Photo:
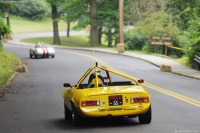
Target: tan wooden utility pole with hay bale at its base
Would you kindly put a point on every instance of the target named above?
(120, 45)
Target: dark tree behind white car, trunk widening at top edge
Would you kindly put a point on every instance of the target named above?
(54, 13)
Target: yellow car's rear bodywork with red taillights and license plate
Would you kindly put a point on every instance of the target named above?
(126, 102)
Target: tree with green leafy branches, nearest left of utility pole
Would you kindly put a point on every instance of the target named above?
(80, 9)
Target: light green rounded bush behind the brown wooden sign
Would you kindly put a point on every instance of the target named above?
(159, 24)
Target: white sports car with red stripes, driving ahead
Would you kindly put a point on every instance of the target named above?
(42, 50)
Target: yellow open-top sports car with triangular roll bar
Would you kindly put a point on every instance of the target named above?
(103, 92)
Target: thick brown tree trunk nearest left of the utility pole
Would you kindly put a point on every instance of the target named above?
(93, 29)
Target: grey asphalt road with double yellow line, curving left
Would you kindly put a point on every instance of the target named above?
(34, 102)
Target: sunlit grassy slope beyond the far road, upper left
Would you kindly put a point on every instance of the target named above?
(22, 25)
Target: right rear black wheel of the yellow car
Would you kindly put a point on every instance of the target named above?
(145, 118)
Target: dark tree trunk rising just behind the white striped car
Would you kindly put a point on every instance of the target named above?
(56, 38)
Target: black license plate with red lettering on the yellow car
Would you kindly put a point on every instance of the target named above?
(115, 100)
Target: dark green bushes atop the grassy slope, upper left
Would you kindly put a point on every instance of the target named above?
(32, 9)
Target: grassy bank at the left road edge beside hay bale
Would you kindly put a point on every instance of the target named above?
(8, 64)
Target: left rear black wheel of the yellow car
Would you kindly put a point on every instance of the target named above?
(76, 118)
